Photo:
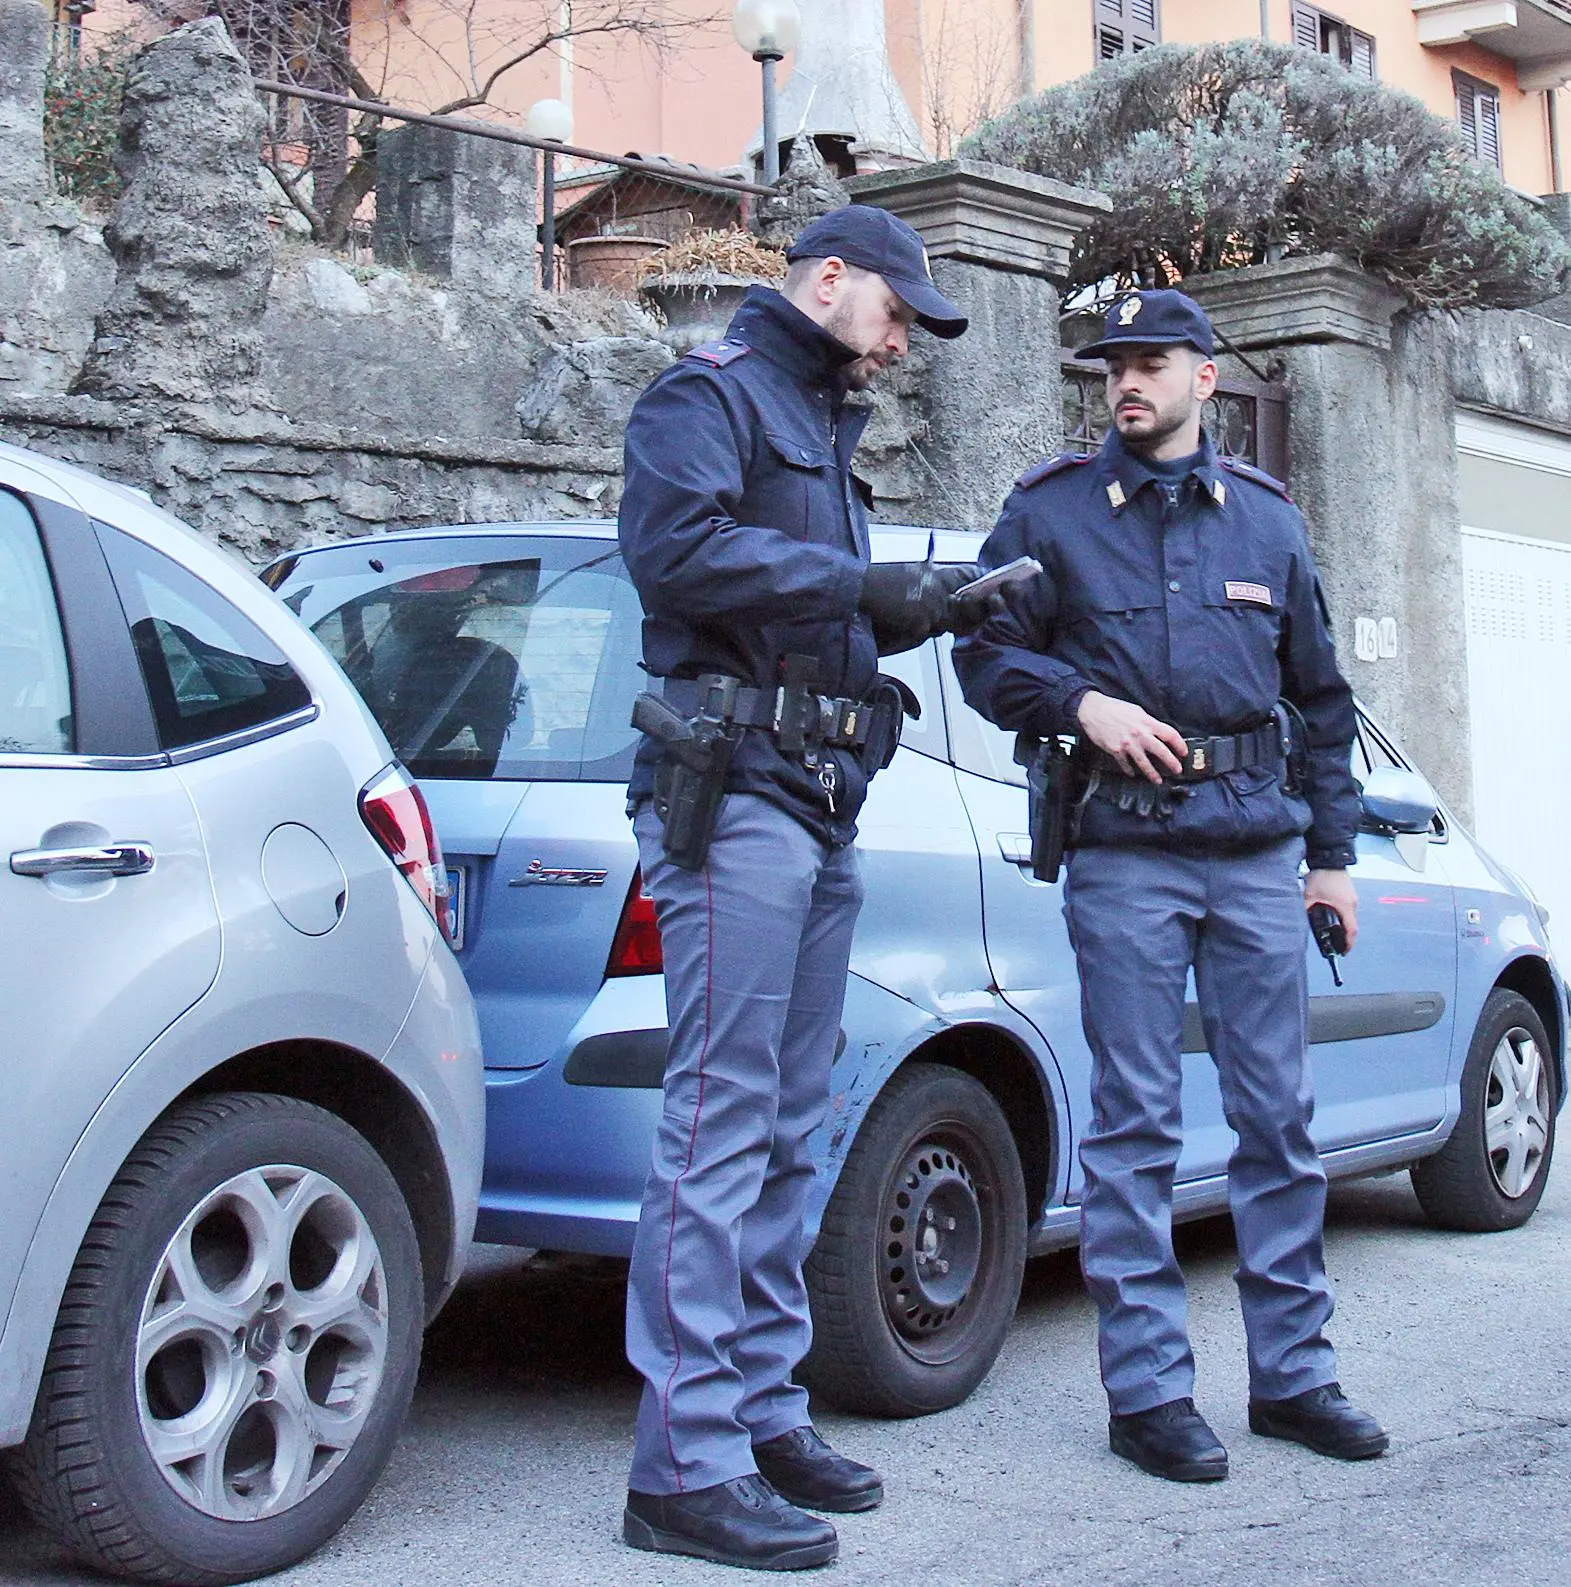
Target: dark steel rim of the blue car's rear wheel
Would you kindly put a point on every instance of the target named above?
(934, 1248)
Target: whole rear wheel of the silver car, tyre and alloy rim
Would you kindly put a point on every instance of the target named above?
(236, 1350)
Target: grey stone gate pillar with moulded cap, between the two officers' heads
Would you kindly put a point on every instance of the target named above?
(999, 242)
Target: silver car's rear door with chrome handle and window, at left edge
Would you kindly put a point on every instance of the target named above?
(107, 909)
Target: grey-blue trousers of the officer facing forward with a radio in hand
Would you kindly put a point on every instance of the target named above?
(1139, 920)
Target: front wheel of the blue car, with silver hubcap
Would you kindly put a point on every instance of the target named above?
(1492, 1172)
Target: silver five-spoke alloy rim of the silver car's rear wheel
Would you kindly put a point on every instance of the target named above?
(263, 1343)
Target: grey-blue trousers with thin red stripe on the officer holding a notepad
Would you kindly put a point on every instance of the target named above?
(756, 953)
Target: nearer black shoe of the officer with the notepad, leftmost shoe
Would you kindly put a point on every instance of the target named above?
(739, 1523)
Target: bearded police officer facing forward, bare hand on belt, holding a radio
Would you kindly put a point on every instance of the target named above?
(1178, 607)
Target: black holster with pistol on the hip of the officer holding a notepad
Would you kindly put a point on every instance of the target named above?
(691, 775)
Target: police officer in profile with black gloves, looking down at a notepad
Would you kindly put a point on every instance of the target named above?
(747, 537)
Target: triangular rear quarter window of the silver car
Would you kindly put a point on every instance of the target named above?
(210, 671)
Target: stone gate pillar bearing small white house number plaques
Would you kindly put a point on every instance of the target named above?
(1375, 469)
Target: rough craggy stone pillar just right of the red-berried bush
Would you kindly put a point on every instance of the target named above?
(190, 234)
